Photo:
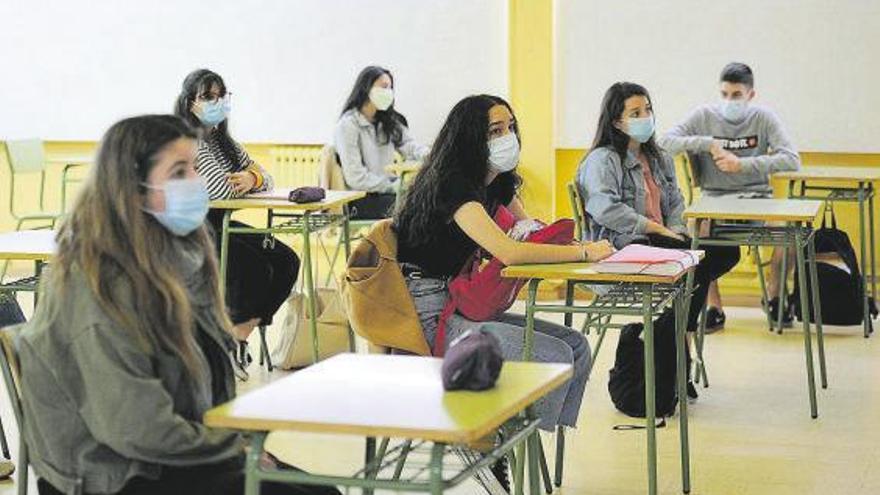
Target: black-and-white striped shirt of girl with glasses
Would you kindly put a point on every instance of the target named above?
(213, 165)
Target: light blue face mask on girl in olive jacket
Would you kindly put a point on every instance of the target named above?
(186, 205)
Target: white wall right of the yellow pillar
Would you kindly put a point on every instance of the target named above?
(816, 62)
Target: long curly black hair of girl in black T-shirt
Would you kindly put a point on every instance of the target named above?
(461, 151)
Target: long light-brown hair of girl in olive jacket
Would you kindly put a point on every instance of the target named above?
(114, 244)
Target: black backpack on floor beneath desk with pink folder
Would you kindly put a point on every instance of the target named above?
(626, 381)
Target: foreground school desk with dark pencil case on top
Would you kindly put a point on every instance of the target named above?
(372, 396)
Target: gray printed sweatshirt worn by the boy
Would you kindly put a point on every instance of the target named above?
(759, 140)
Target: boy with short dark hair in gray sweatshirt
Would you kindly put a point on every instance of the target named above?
(733, 147)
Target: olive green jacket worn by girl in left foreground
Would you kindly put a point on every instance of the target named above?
(100, 410)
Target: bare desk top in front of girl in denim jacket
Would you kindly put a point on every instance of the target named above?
(768, 210)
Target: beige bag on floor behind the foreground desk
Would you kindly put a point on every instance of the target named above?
(294, 348)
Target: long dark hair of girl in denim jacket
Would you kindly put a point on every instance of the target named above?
(607, 134)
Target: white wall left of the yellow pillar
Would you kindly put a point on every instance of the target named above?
(72, 68)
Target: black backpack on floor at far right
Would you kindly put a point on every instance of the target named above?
(840, 291)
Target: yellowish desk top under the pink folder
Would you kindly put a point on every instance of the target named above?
(584, 272)
